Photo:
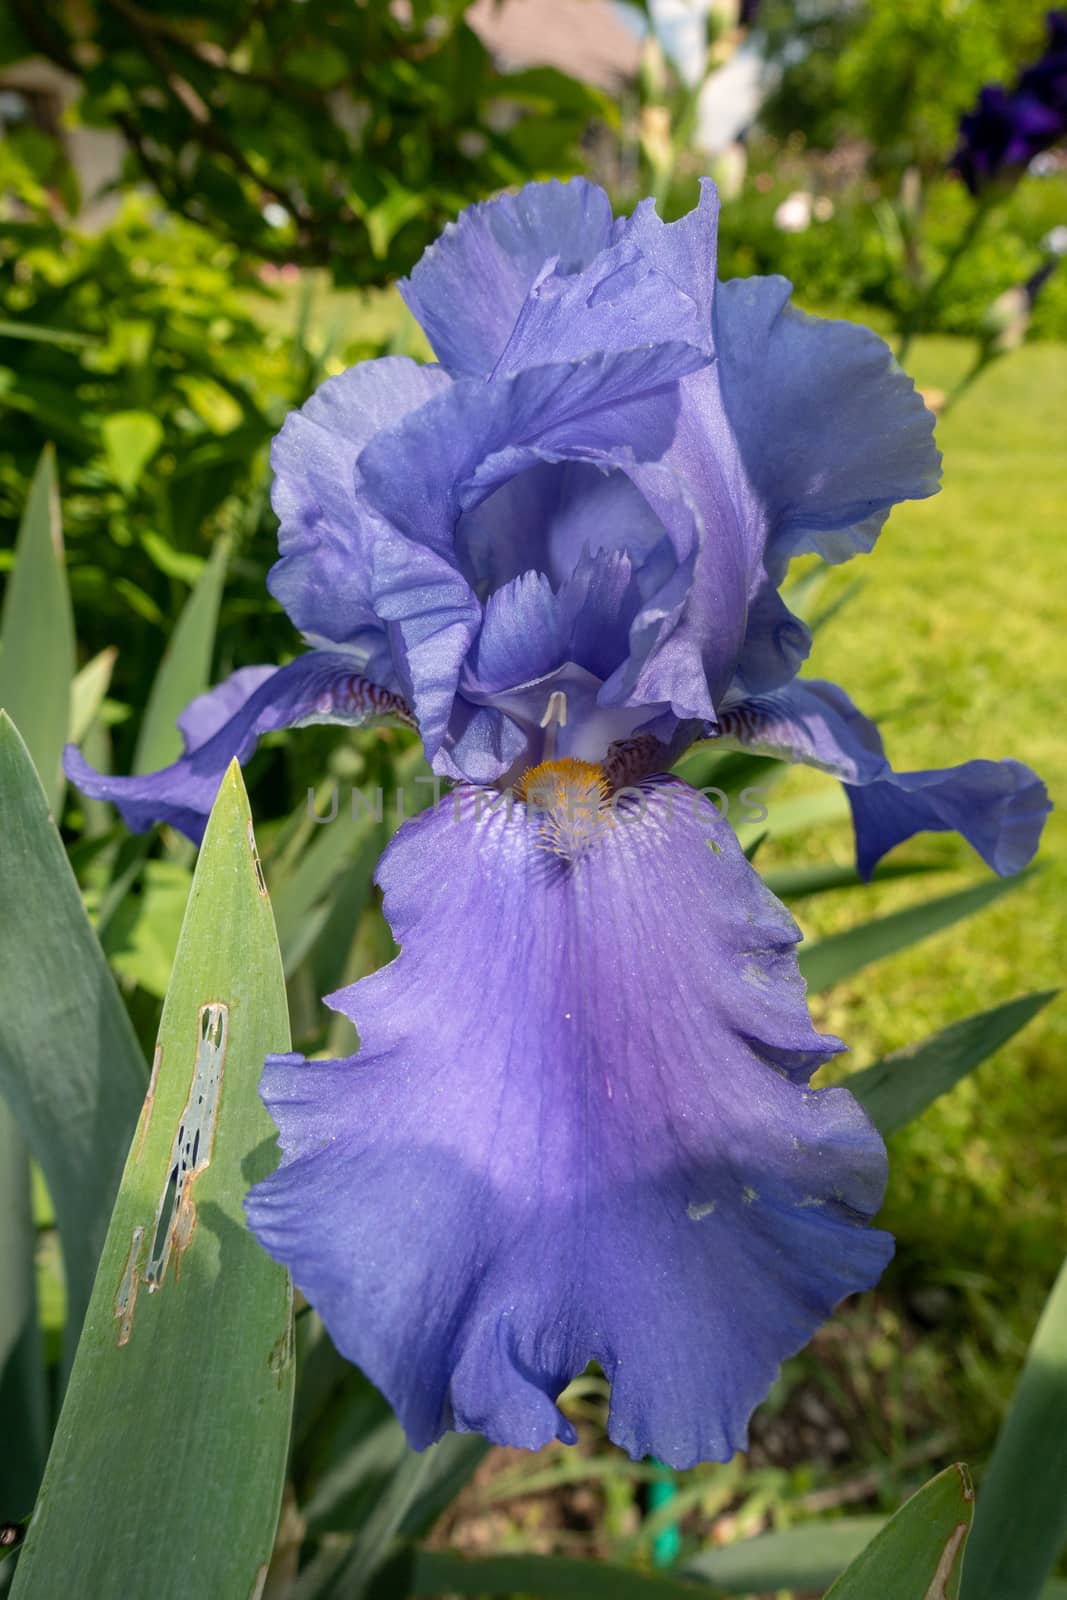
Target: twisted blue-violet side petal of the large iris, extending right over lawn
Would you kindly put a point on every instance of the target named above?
(999, 807)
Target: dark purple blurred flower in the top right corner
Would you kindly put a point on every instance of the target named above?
(1010, 127)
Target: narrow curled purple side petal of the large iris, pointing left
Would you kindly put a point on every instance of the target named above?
(226, 726)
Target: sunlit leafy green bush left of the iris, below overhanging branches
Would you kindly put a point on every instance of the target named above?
(138, 353)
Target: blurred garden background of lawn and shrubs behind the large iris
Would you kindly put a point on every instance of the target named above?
(204, 207)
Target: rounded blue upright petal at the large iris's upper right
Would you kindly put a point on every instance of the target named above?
(829, 430)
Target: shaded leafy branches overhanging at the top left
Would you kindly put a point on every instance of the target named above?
(316, 134)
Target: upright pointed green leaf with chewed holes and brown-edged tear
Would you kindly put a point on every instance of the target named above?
(167, 1468)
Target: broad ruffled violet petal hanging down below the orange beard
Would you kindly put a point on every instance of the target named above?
(580, 1127)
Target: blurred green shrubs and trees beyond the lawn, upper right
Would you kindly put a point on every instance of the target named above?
(860, 118)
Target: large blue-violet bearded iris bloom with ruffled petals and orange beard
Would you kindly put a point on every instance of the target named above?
(580, 1126)
